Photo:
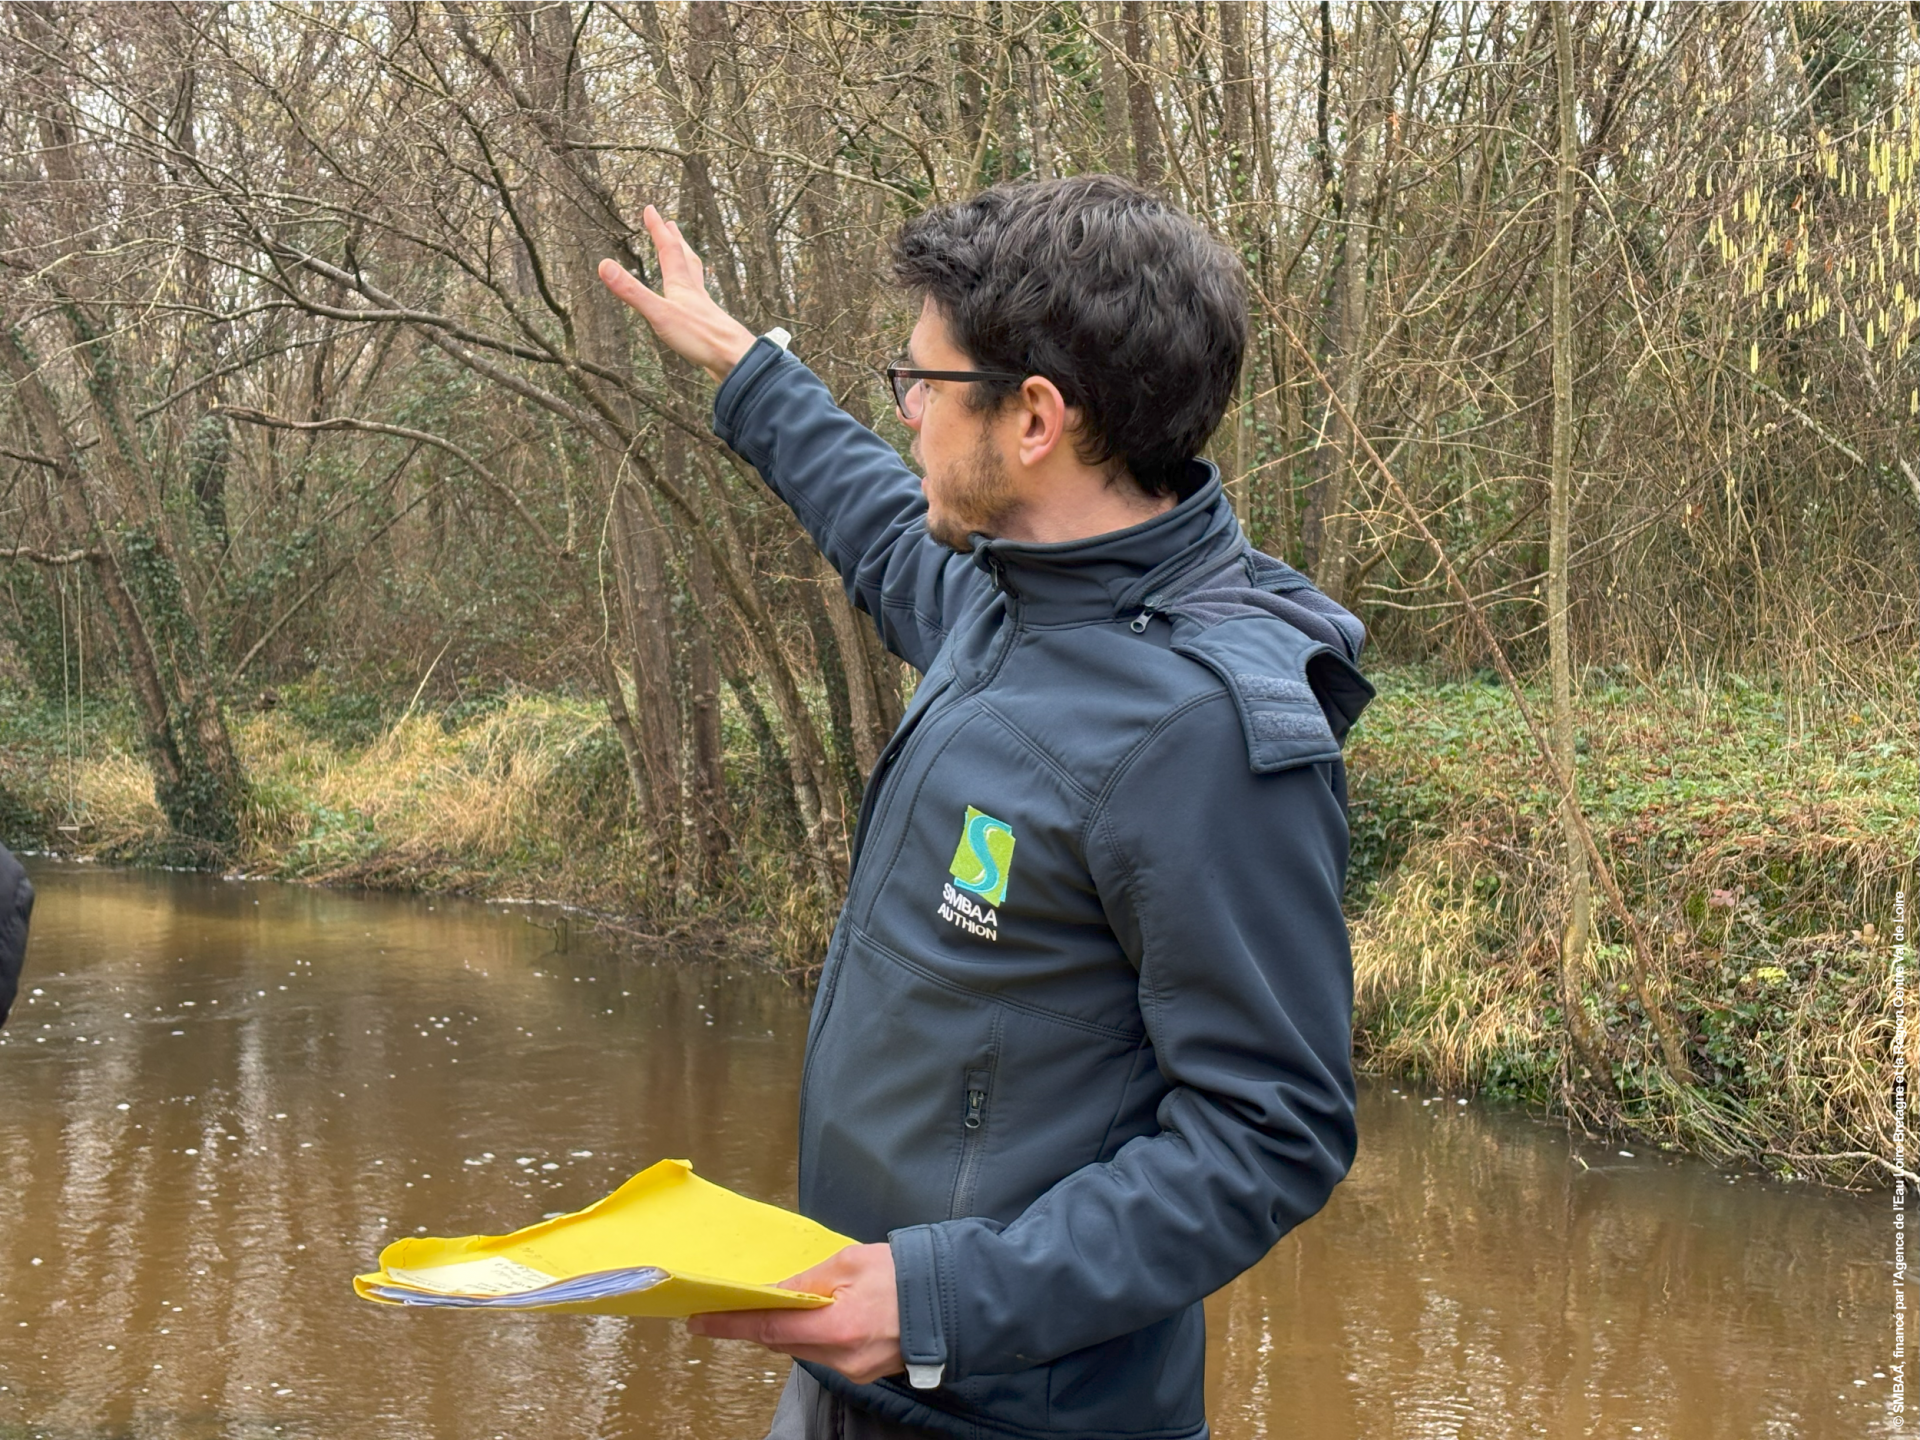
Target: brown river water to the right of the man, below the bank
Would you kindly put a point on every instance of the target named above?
(1481, 1276)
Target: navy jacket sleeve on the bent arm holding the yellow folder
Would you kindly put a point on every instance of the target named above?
(1224, 888)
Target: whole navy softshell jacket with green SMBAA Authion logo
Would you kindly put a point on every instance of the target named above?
(1082, 1044)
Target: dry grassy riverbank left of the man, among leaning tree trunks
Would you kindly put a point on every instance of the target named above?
(521, 796)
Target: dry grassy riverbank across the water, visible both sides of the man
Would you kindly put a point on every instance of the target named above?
(1758, 836)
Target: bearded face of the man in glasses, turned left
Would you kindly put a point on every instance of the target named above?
(969, 485)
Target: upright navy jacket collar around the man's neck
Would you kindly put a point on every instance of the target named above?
(1122, 571)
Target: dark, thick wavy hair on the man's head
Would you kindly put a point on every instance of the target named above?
(1109, 291)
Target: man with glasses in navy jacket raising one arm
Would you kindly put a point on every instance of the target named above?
(1082, 1044)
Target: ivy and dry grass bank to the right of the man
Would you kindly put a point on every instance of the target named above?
(1760, 836)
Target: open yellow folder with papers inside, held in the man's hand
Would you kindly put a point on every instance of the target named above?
(667, 1245)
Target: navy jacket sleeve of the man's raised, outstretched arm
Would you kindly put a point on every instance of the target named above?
(853, 494)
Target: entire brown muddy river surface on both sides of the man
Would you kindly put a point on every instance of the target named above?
(222, 1099)
